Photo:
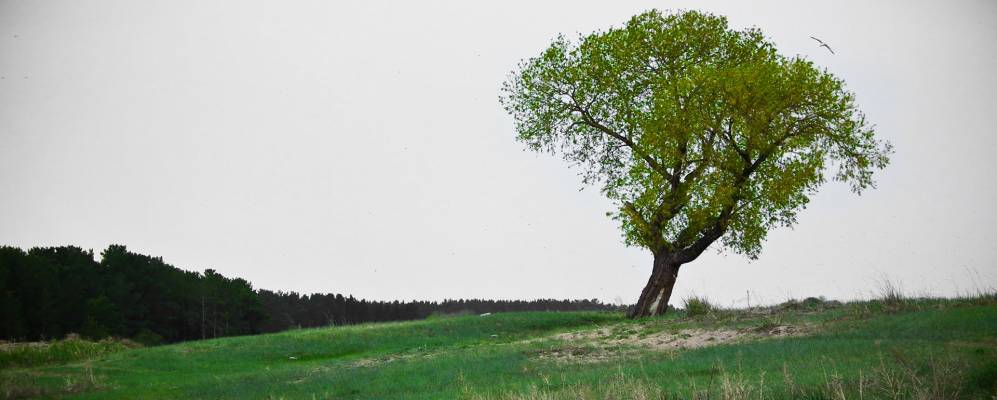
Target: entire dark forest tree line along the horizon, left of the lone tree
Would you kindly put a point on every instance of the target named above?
(49, 292)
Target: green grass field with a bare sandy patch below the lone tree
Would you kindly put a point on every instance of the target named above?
(890, 348)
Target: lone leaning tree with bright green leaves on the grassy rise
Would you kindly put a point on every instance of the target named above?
(697, 132)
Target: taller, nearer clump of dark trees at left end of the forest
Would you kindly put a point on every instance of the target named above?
(49, 292)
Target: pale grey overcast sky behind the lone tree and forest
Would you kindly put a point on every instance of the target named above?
(360, 148)
